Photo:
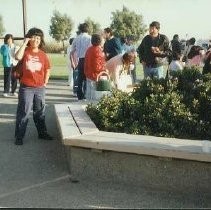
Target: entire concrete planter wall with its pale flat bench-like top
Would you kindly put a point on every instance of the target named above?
(135, 159)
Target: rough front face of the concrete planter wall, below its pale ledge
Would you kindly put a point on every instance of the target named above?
(144, 171)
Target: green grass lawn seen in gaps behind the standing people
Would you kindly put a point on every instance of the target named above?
(59, 67)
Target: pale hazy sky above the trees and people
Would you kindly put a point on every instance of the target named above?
(188, 18)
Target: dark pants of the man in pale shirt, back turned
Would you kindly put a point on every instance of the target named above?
(81, 80)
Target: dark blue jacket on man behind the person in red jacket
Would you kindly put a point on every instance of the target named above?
(112, 47)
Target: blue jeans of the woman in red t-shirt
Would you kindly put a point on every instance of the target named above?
(30, 97)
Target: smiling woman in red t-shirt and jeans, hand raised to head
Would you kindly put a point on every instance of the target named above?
(35, 75)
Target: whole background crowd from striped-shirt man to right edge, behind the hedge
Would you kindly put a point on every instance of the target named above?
(92, 54)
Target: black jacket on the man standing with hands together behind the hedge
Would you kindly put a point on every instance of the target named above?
(145, 52)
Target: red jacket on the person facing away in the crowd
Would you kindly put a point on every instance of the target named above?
(94, 62)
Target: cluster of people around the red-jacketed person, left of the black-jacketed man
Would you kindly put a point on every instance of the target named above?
(93, 54)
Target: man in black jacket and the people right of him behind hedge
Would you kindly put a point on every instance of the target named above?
(155, 51)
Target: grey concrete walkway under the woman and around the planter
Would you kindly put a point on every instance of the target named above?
(35, 175)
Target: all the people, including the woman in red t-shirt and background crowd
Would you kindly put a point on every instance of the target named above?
(88, 57)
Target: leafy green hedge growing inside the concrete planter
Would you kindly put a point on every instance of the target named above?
(179, 107)
